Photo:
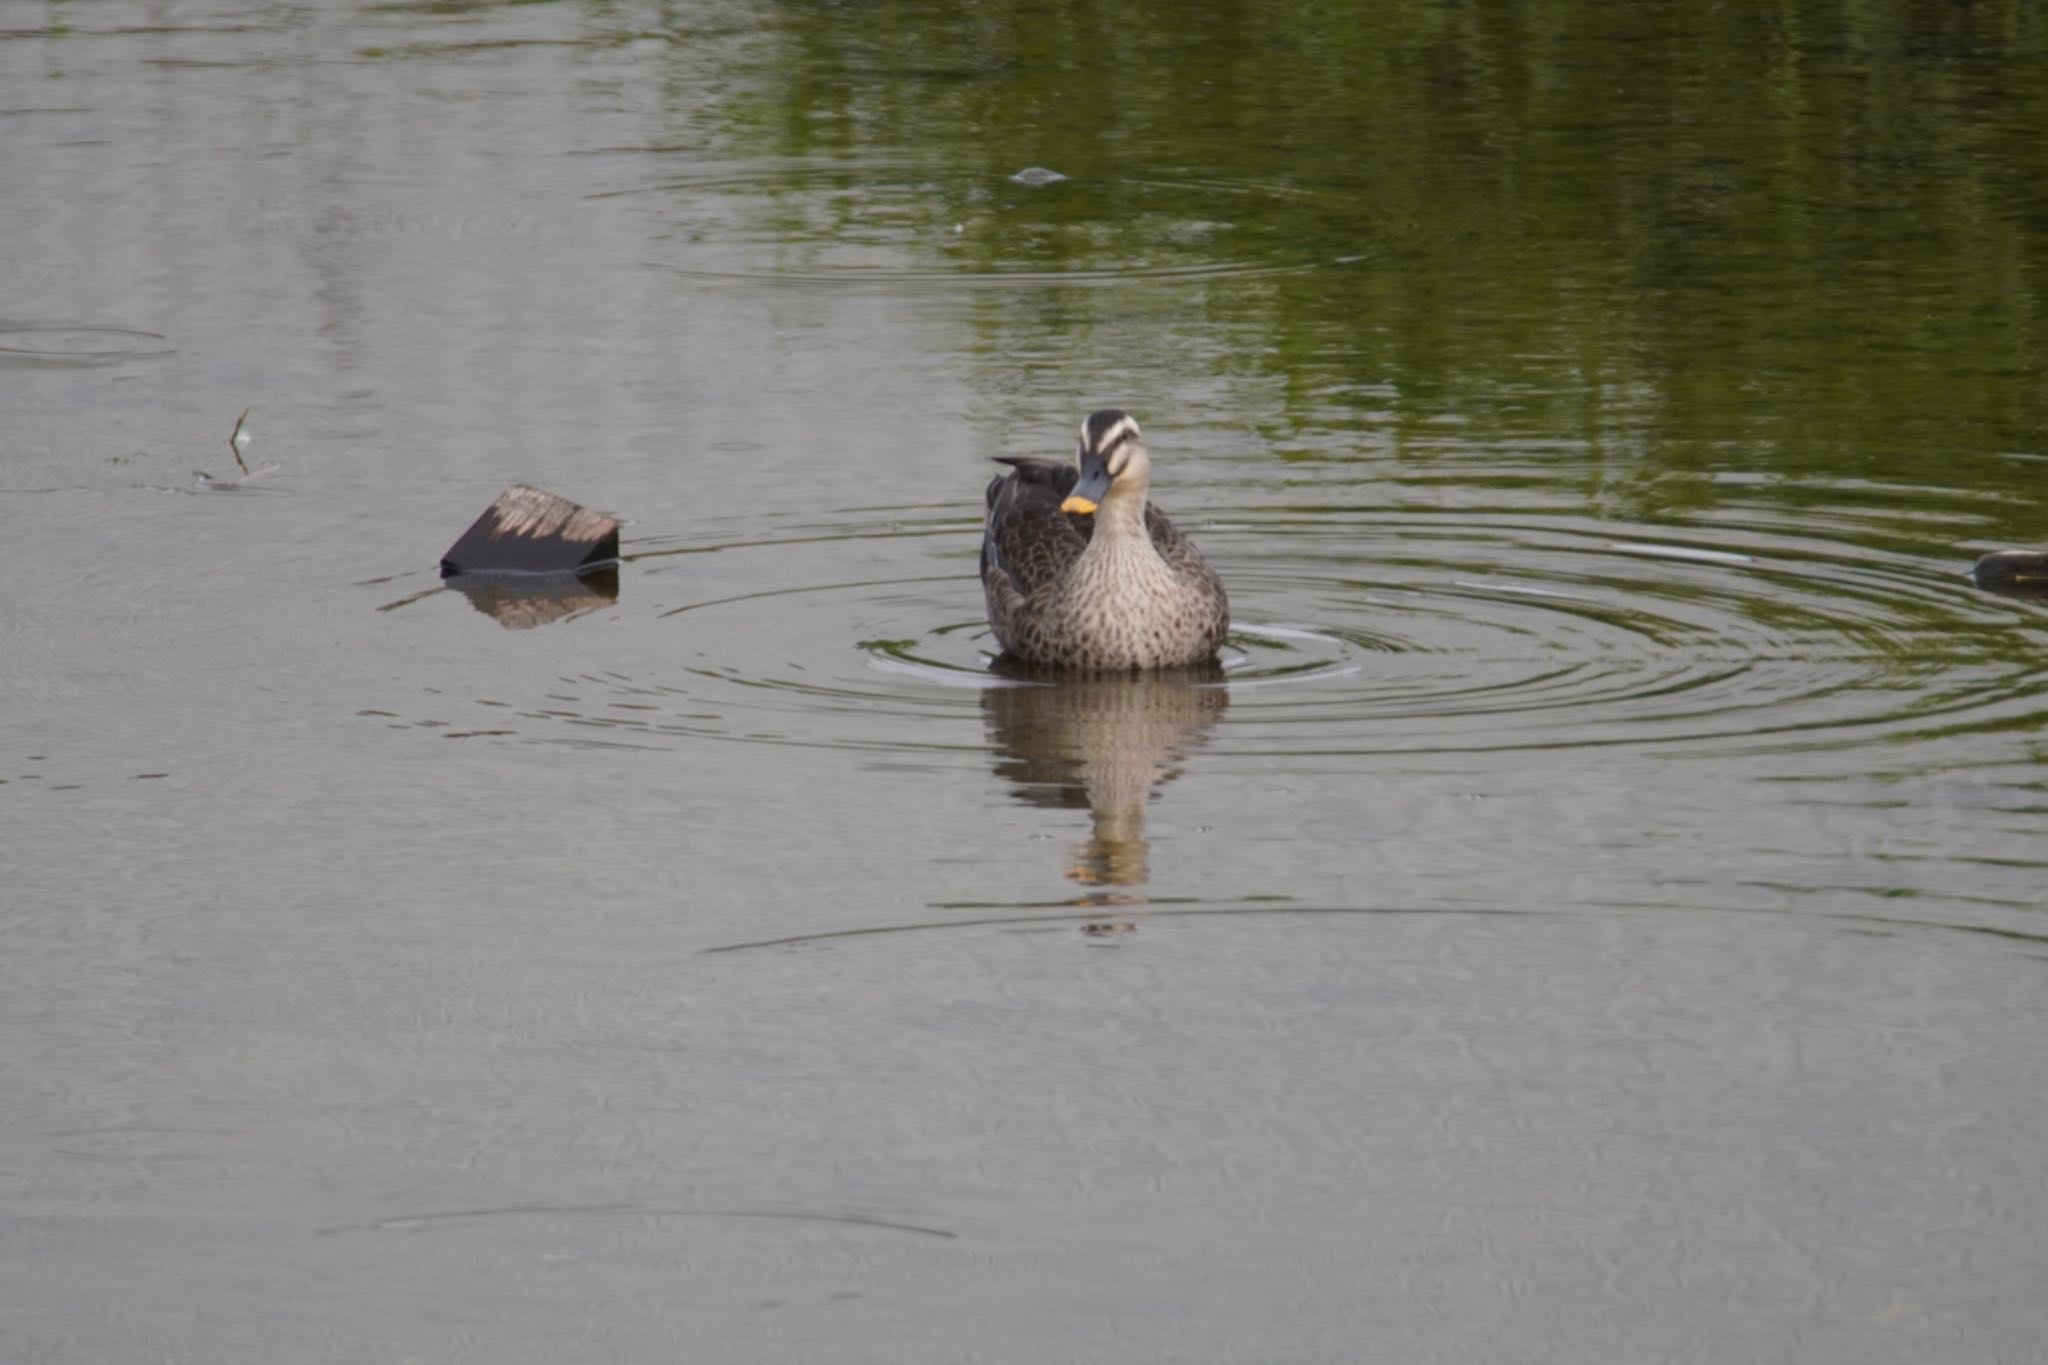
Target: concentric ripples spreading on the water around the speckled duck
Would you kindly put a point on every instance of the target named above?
(1394, 635)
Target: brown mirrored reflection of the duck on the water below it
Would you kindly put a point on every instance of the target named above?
(1103, 744)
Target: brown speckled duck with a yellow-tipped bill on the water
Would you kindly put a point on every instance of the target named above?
(1084, 574)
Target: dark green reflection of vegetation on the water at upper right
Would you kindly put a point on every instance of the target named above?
(1793, 238)
